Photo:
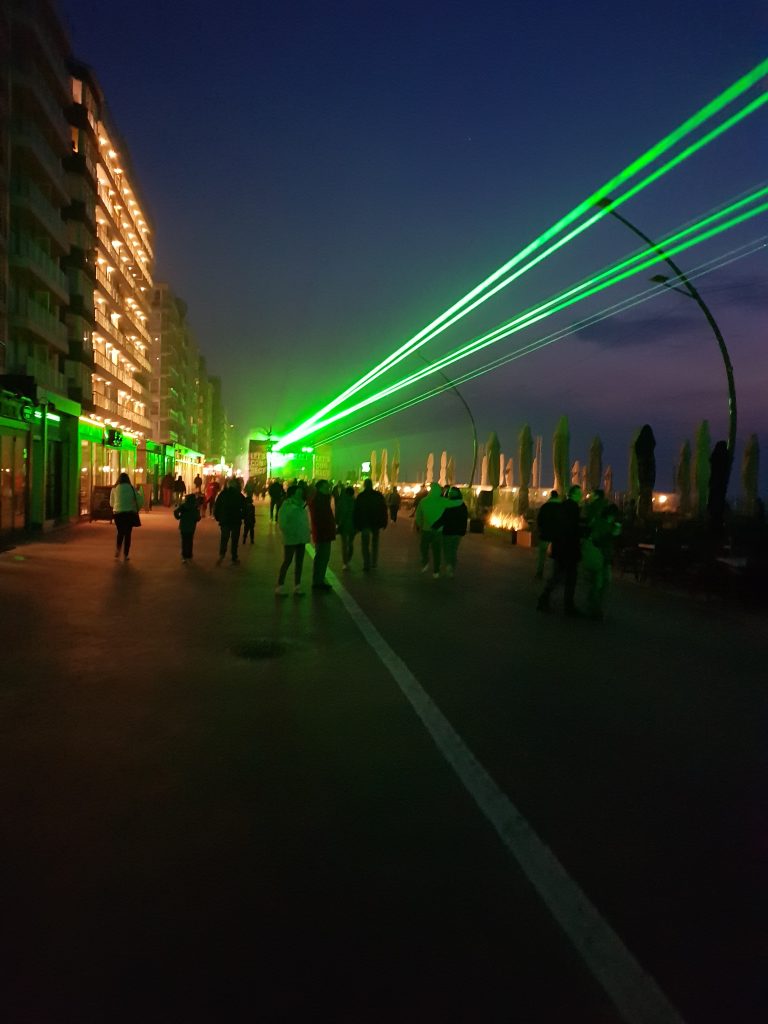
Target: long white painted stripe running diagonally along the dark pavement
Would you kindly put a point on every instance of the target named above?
(633, 992)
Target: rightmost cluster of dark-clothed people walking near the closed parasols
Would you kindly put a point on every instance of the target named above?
(575, 536)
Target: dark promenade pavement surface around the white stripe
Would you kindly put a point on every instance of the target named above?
(220, 805)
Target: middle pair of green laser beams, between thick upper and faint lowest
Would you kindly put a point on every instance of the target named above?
(607, 279)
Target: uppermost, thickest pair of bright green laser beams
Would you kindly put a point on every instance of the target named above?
(707, 112)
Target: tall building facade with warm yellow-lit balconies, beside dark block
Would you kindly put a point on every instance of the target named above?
(114, 436)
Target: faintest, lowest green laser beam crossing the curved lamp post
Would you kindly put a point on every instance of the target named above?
(609, 312)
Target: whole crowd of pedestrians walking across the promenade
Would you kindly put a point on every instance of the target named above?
(574, 534)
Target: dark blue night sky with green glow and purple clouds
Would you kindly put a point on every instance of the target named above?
(325, 179)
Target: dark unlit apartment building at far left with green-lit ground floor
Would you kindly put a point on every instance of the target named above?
(38, 419)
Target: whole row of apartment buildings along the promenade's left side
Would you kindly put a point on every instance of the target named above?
(76, 287)
